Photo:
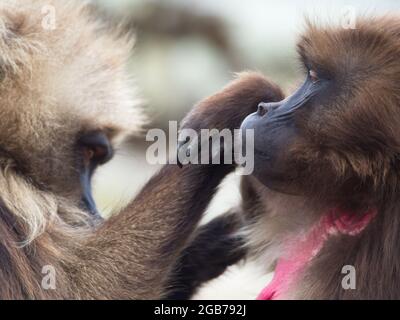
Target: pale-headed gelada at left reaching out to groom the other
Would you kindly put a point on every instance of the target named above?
(65, 103)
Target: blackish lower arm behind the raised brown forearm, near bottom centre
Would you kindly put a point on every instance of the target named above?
(215, 246)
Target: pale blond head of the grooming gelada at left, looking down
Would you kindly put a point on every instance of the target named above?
(65, 99)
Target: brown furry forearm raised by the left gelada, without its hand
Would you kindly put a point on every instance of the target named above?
(133, 253)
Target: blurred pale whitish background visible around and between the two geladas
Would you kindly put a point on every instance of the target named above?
(188, 49)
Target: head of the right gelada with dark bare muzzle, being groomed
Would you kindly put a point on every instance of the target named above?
(341, 127)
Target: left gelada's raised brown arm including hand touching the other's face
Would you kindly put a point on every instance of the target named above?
(133, 254)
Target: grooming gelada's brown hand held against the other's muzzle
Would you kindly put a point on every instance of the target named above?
(225, 110)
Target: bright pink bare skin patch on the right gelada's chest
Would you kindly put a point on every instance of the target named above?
(301, 251)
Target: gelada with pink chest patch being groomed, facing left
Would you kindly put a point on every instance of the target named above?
(323, 203)
